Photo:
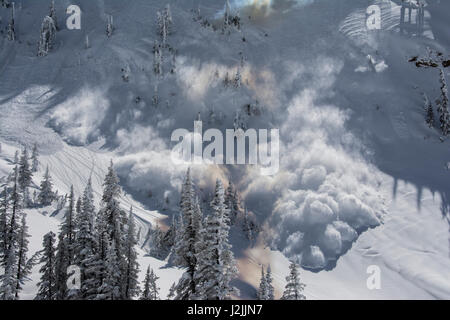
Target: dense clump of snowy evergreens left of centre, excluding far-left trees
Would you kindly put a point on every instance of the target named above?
(100, 243)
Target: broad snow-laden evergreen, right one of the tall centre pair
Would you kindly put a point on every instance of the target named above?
(217, 266)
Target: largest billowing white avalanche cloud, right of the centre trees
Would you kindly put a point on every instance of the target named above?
(325, 193)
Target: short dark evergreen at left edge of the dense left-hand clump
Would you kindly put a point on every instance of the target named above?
(47, 282)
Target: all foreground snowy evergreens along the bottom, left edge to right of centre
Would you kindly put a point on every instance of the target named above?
(101, 244)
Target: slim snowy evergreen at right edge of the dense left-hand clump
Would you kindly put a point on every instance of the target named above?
(131, 275)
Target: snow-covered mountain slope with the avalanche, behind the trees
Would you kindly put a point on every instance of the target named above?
(354, 145)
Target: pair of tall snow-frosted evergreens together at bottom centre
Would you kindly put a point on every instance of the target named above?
(201, 245)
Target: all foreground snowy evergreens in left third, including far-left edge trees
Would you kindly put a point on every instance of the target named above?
(101, 244)
